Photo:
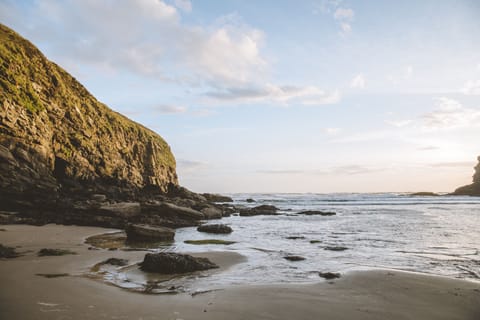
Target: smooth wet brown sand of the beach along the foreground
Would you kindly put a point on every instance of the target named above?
(380, 294)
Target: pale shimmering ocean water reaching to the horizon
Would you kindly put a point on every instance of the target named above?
(436, 235)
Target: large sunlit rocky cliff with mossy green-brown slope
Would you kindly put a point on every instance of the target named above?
(56, 138)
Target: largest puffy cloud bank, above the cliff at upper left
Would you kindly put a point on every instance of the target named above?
(146, 37)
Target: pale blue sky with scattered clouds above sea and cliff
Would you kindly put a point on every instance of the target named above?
(313, 96)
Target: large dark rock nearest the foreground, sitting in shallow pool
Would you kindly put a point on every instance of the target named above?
(171, 263)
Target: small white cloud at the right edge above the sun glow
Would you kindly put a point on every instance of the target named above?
(450, 114)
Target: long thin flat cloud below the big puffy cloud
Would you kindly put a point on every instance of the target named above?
(270, 93)
